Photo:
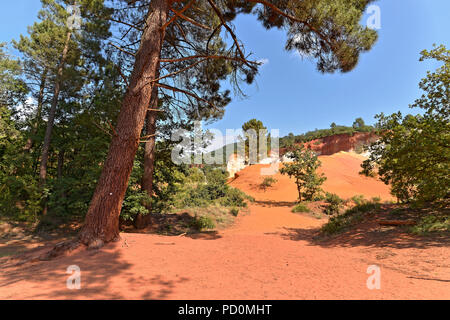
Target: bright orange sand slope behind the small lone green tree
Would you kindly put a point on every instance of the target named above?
(343, 178)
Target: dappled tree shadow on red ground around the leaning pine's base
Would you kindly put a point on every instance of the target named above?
(104, 275)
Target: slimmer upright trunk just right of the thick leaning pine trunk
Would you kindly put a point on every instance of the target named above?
(143, 221)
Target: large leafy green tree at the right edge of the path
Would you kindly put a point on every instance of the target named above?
(413, 154)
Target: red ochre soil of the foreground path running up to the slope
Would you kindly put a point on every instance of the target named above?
(269, 253)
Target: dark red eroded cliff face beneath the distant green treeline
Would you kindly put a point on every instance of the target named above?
(341, 142)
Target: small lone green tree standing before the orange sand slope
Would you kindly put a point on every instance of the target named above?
(303, 170)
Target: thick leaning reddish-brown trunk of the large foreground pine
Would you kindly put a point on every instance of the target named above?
(102, 219)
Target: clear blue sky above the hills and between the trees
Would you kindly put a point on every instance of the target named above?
(291, 95)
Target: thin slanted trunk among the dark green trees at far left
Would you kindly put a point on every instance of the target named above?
(51, 116)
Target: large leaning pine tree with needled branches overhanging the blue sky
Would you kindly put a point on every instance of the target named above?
(327, 31)
